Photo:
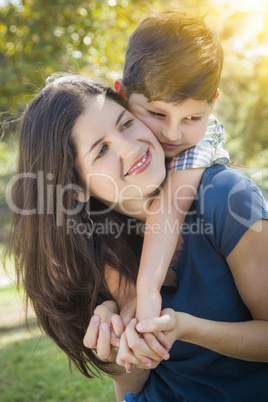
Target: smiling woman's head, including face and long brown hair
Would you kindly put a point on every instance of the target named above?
(63, 267)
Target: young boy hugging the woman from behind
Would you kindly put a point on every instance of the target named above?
(171, 75)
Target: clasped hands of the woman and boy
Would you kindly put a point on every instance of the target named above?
(108, 330)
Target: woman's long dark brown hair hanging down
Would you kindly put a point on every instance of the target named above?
(61, 269)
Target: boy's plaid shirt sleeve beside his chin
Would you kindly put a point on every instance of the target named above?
(209, 151)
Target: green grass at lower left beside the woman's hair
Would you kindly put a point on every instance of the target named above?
(32, 368)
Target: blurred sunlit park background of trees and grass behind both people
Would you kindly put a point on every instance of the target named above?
(38, 38)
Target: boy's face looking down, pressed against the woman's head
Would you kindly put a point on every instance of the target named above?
(176, 126)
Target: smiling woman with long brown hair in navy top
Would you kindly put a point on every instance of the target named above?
(90, 148)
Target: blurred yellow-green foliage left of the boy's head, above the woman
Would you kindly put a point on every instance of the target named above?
(43, 37)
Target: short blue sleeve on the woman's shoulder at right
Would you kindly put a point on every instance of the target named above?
(233, 203)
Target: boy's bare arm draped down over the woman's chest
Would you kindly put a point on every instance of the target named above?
(165, 217)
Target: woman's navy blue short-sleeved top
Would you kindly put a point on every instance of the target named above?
(227, 204)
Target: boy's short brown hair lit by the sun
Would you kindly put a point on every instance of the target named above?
(172, 56)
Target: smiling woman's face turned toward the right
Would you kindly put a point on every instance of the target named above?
(118, 158)
